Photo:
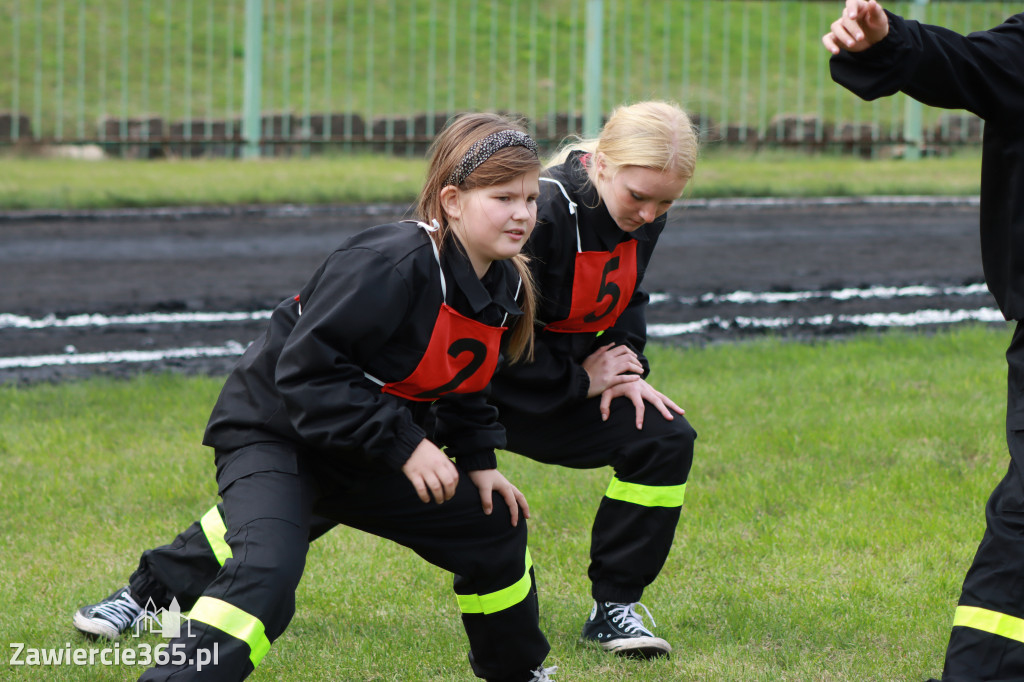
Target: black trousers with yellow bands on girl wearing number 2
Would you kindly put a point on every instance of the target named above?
(240, 587)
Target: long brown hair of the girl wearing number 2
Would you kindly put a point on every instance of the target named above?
(449, 149)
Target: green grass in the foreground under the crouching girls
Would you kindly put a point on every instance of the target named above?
(836, 501)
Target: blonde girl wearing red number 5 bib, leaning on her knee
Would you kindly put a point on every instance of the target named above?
(584, 401)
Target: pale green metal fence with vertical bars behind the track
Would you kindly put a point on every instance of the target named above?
(151, 77)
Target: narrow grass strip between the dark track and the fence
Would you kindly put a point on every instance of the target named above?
(52, 184)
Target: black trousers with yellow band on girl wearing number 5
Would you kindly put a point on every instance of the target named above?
(636, 520)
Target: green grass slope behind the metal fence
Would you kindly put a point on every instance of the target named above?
(68, 65)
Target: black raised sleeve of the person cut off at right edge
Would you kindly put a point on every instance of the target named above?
(983, 73)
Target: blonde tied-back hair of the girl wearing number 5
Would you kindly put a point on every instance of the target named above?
(651, 135)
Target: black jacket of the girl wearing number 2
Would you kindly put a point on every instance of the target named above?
(370, 308)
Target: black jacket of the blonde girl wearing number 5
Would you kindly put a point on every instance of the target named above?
(557, 378)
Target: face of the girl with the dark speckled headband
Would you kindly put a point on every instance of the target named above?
(494, 223)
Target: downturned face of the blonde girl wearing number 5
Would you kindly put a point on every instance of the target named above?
(636, 196)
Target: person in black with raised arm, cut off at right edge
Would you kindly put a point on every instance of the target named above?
(877, 54)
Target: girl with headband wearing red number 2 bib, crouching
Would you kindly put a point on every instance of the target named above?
(339, 413)
